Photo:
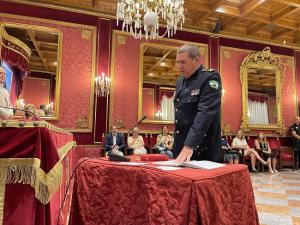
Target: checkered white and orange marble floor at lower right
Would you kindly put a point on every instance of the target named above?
(277, 197)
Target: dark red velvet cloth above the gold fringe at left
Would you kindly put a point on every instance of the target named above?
(35, 142)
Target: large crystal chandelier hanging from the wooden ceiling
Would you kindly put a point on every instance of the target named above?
(145, 14)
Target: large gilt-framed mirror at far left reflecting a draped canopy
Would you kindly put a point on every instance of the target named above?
(34, 73)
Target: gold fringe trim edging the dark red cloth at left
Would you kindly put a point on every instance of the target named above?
(28, 171)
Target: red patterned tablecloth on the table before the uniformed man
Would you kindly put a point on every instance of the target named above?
(110, 193)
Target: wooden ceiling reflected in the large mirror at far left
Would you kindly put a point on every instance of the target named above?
(43, 46)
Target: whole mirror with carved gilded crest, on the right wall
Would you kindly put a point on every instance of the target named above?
(261, 76)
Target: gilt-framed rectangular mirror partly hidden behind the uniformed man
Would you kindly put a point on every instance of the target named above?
(158, 76)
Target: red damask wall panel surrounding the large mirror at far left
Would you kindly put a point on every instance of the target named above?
(77, 70)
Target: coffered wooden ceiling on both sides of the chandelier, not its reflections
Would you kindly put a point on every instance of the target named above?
(275, 21)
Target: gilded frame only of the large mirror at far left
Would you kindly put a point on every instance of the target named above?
(59, 34)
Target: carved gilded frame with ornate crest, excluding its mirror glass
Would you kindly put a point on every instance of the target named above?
(262, 60)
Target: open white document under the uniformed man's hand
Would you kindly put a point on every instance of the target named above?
(192, 164)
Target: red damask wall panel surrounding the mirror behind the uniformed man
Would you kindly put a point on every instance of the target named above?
(126, 74)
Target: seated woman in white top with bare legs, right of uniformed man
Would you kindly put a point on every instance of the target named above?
(240, 143)
